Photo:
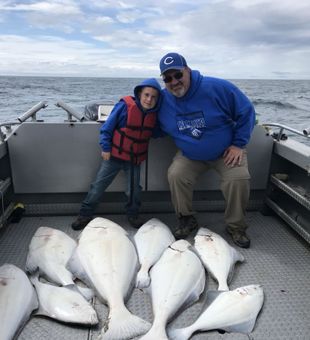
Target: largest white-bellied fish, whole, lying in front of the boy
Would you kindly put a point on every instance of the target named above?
(110, 261)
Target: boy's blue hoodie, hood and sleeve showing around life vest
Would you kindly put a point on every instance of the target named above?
(118, 116)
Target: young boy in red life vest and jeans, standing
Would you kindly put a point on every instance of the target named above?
(124, 139)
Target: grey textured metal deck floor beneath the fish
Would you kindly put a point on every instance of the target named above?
(278, 259)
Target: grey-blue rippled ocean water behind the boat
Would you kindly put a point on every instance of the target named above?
(275, 101)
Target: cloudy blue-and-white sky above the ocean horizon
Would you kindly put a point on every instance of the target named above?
(233, 39)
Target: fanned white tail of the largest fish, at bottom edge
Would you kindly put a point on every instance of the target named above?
(123, 325)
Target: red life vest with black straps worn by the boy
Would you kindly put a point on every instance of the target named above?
(130, 143)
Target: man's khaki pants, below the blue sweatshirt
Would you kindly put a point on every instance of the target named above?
(235, 186)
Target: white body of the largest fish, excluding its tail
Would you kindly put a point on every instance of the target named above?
(109, 259)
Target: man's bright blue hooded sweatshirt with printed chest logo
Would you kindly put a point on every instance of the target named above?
(211, 116)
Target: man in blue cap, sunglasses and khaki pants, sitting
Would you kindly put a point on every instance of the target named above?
(211, 121)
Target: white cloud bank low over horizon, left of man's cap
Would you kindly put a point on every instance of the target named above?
(48, 55)
